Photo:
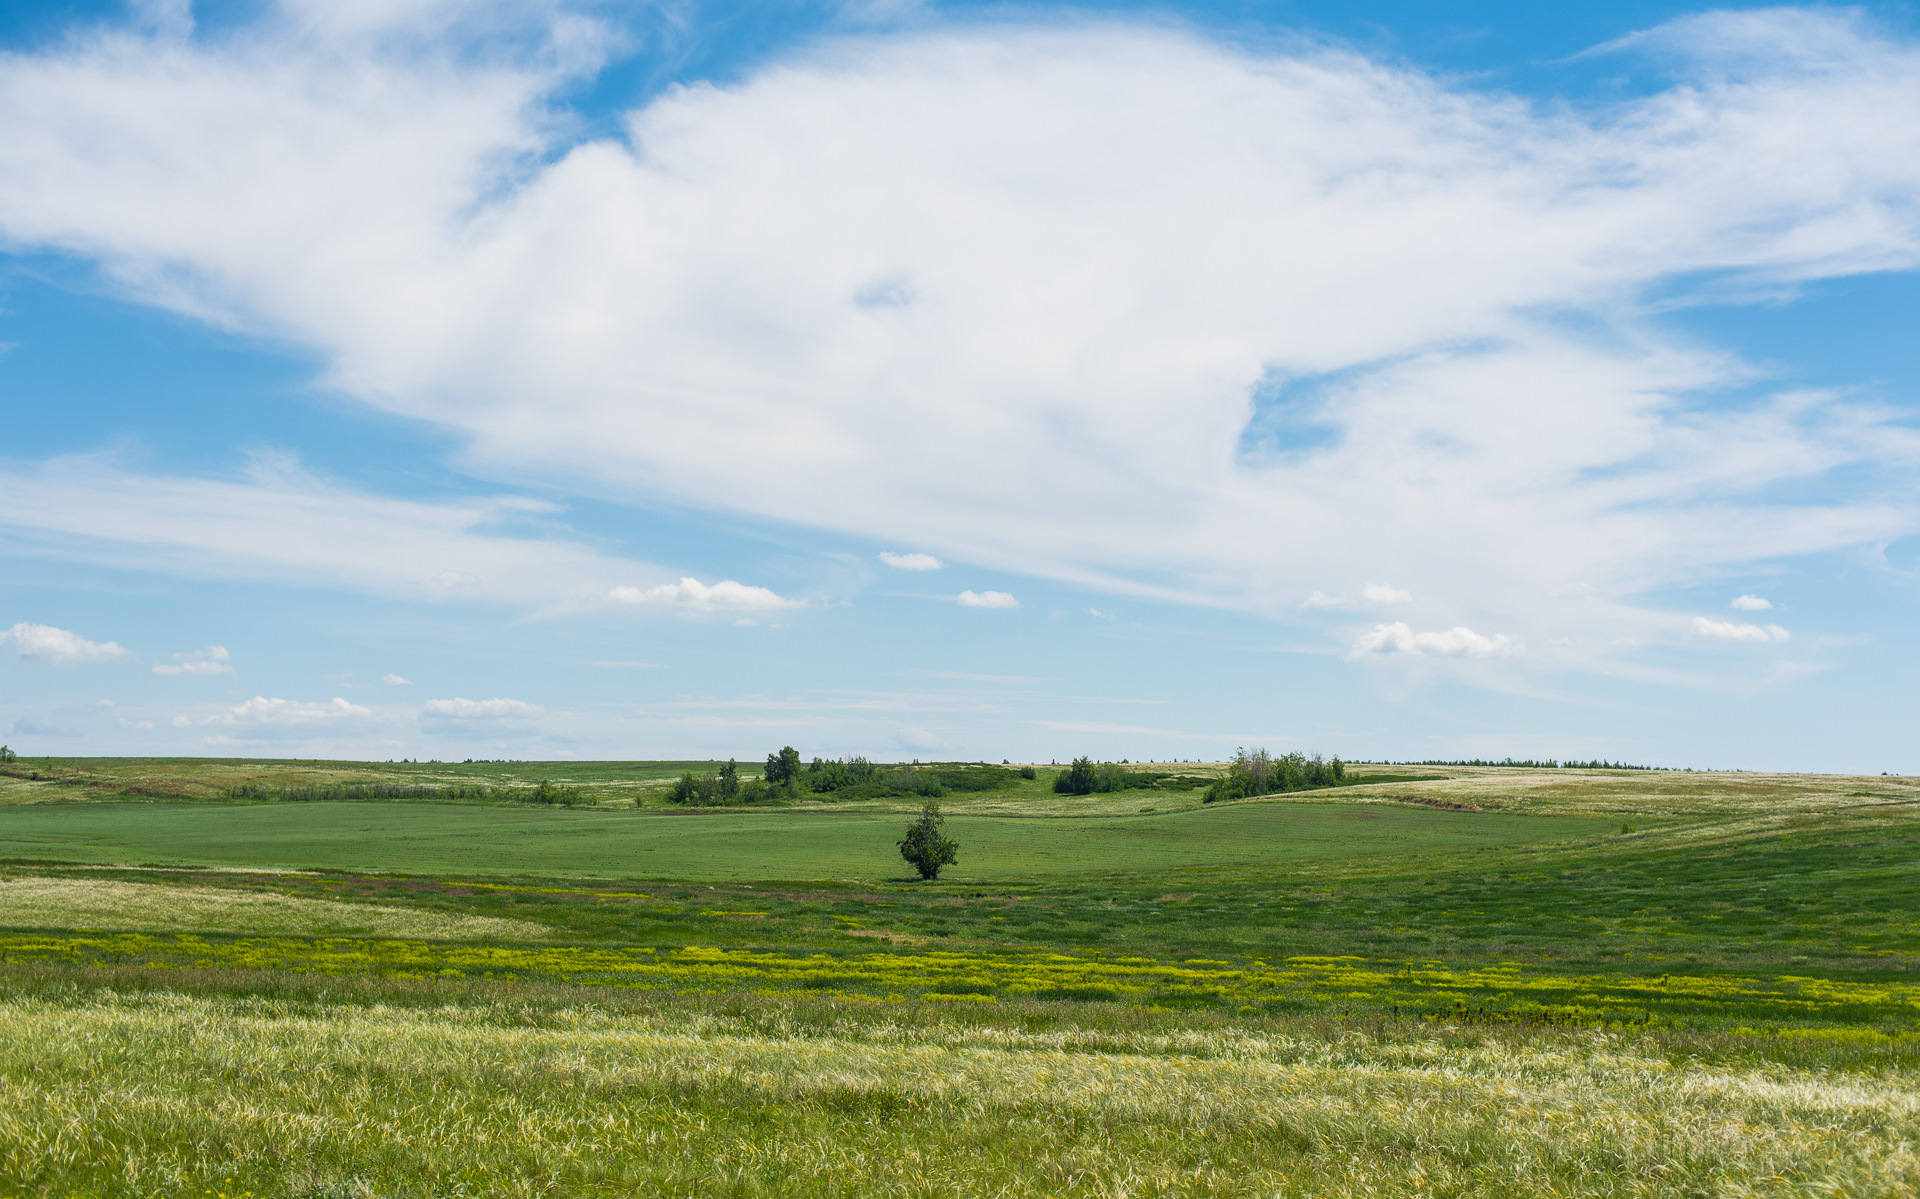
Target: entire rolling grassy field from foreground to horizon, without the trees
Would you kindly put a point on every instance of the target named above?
(1431, 983)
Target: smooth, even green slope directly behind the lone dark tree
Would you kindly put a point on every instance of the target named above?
(738, 844)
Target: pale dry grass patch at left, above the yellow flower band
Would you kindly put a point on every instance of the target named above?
(153, 908)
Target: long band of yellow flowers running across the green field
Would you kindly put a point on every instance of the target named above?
(1497, 992)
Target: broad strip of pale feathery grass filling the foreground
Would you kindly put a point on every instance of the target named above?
(176, 1094)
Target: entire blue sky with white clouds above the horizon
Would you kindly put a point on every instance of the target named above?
(562, 379)
